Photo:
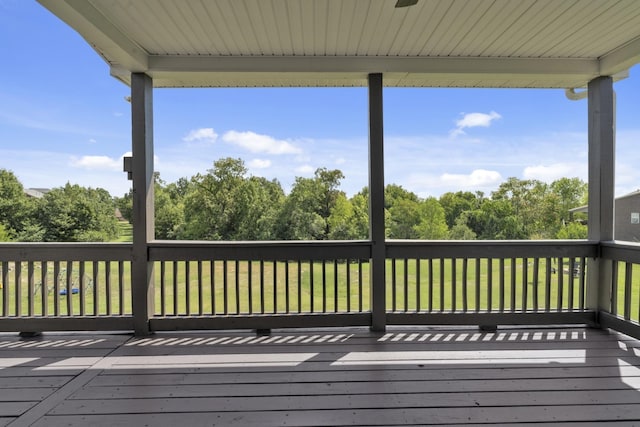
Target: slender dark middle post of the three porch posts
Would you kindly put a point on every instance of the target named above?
(376, 204)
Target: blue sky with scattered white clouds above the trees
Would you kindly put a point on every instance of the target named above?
(64, 119)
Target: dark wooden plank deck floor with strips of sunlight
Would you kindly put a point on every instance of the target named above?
(322, 378)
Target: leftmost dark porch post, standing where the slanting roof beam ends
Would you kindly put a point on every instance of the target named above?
(143, 200)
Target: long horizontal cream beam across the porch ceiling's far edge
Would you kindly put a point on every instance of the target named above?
(327, 71)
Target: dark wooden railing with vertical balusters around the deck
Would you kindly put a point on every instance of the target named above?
(280, 284)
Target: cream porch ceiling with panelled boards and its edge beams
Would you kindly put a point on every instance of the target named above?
(435, 43)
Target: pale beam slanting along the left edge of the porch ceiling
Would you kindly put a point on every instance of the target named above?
(110, 43)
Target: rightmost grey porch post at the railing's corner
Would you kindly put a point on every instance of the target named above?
(601, 187)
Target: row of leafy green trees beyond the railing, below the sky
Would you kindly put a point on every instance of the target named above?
(226, 203)
